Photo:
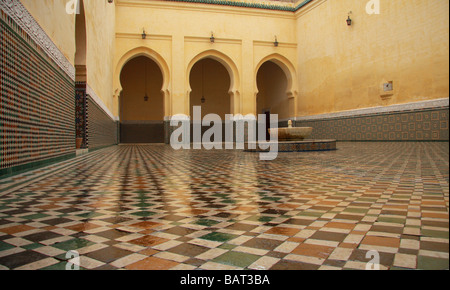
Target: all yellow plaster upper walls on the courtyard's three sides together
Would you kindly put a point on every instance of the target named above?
(330, 67)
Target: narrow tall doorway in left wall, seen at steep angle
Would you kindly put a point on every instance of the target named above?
(80, 79)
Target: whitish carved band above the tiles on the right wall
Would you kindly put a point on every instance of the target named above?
(433, 104)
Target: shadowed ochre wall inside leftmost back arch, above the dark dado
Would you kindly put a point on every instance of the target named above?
(133, 106)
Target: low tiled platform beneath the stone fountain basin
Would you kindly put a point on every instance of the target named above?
(297, 146)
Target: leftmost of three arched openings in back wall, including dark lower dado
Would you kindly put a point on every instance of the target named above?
(141, 102)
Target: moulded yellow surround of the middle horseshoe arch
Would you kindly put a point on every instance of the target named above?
(233, 72)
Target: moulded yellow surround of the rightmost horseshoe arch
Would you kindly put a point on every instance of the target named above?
(291, 76)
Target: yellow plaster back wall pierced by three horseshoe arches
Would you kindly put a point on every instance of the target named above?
(179, 32)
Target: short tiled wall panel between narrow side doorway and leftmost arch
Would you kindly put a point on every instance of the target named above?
(101, 129)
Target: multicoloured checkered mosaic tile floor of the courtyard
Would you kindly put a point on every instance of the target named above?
(150, 207)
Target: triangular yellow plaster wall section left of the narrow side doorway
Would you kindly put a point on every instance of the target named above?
(59, 26)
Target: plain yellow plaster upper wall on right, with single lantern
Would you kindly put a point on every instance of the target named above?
(343, 68)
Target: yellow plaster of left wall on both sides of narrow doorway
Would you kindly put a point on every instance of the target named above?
(100, 33)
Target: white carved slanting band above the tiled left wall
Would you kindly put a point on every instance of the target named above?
(16, 10)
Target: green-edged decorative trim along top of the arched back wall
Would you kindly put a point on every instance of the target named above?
(248, 4)
